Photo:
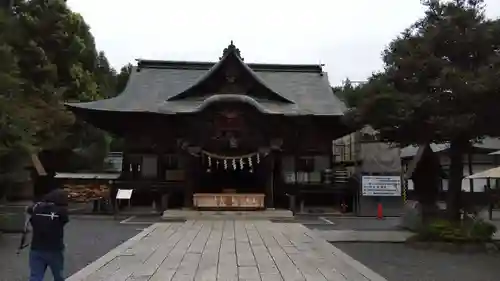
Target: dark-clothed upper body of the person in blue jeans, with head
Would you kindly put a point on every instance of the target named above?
(48, 219)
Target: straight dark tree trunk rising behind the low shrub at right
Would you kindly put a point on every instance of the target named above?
(453, 202)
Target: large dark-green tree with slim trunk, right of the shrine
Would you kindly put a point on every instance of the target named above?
(439, 84)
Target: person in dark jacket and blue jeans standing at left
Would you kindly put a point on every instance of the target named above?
(48, 219)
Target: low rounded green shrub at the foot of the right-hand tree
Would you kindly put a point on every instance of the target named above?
(474, 231)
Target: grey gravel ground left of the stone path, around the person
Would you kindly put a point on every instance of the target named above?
(86, 239)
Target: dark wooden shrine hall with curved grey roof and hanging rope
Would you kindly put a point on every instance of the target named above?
(222, 135)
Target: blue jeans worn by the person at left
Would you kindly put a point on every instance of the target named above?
(40, 260)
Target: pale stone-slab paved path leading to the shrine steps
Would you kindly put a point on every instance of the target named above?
(226, 251)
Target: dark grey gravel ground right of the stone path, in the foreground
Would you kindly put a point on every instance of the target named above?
(396, 262)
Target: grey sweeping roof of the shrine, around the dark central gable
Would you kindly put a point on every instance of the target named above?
(148, 90)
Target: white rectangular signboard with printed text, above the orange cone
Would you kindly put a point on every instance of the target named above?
(381, 186)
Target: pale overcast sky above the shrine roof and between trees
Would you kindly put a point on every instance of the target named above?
(345, 35)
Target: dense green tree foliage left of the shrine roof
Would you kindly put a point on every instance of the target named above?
(49, 57)
